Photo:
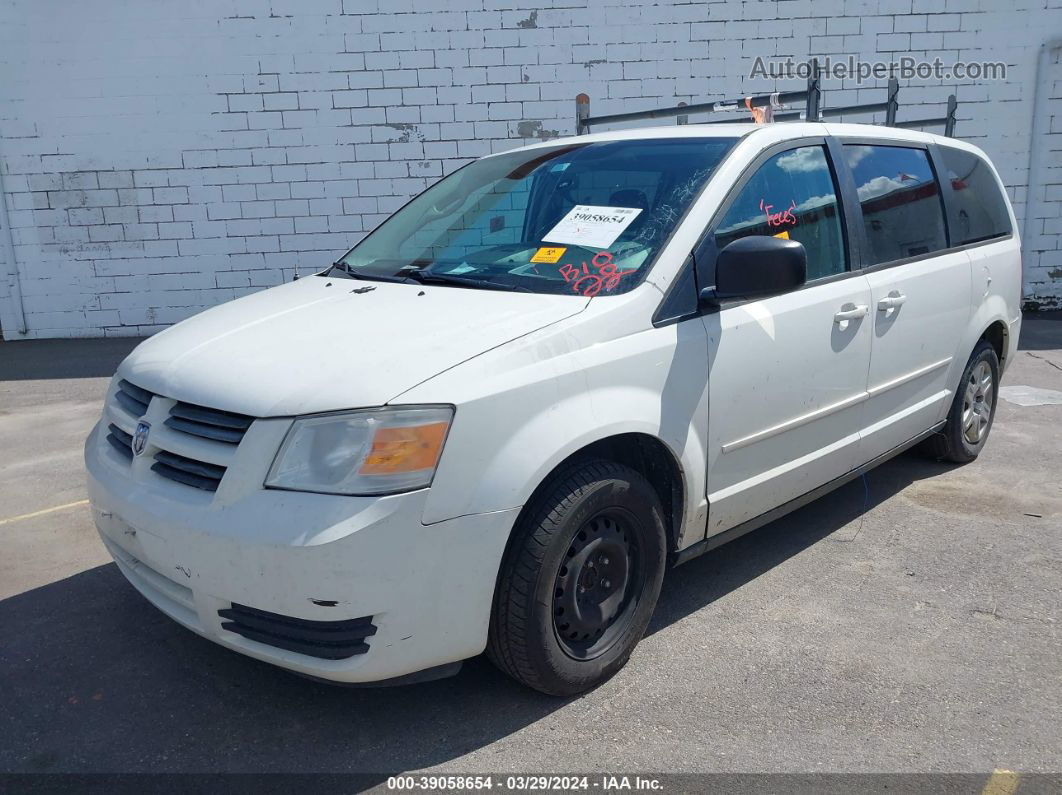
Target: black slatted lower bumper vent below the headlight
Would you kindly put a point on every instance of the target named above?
(328, 641)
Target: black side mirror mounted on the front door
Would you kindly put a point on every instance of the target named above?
(759, 266)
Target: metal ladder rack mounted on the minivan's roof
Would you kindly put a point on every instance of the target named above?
(764, 107)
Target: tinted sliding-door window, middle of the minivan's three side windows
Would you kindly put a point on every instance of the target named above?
(901, 202)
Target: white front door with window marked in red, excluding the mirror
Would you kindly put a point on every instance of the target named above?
(787, 374)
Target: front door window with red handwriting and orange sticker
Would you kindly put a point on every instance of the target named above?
(793, 196)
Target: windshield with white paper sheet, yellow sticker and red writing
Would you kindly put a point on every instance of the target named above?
(585, 219)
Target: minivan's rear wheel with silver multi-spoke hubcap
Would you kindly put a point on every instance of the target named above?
(973, 410)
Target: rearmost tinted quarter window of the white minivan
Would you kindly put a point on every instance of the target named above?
(982, 210)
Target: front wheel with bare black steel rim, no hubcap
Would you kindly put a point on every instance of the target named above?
(580, 580)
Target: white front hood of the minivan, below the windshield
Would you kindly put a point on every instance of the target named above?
(319, 344)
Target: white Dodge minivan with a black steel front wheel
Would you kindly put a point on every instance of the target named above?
(499, 420)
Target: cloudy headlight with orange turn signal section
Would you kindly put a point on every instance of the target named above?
(374, 452)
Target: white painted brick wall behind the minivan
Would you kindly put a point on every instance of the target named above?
(162, 158)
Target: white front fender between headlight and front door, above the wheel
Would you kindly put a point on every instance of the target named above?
(525, 408)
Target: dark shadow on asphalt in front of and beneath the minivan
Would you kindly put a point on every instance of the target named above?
(100, 681)
